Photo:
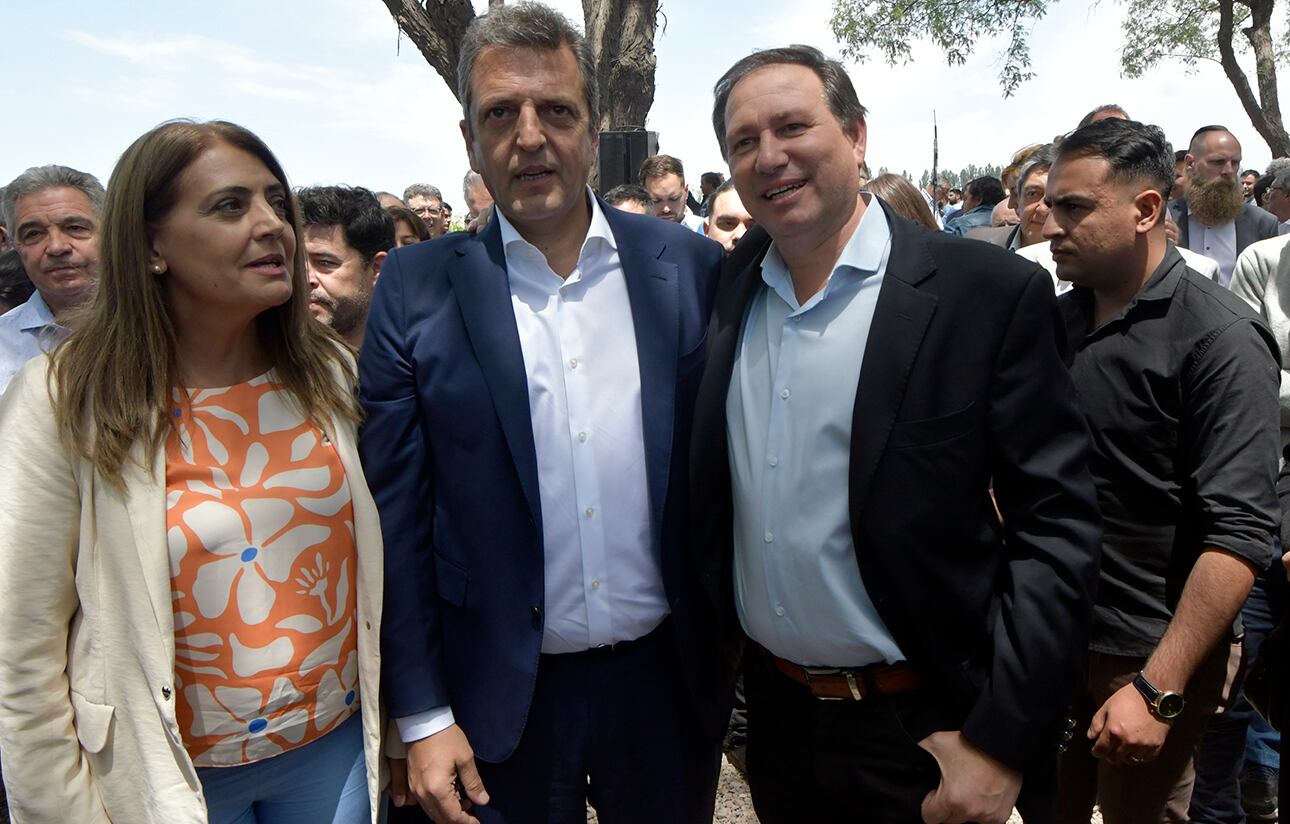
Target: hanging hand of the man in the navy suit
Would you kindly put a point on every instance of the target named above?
(437, 767)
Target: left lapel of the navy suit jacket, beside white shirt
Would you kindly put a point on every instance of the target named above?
(484, 295)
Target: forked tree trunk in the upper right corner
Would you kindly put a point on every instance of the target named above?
(1266, 117)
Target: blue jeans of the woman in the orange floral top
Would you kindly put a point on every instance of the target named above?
(321, 783)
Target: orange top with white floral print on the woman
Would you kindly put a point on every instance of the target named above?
(263, 564)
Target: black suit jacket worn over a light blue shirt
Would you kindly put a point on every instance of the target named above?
(963, 386)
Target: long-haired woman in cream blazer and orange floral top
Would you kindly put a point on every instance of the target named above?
(190, 556)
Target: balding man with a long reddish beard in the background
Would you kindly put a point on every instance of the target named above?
(1213, 217)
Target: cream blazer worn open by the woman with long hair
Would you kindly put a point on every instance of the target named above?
(88, 729)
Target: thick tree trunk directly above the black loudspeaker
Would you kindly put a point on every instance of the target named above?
(622, 41)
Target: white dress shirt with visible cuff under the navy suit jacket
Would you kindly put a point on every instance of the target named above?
(603, 572)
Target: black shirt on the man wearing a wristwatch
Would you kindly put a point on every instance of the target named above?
(1180, 391)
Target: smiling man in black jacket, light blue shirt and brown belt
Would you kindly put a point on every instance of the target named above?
(868, 384)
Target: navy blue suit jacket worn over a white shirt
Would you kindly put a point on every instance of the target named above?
(448, 453)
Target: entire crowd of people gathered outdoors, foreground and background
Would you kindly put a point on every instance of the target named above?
(922, 505)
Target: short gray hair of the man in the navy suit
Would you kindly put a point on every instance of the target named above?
(526, 26)
